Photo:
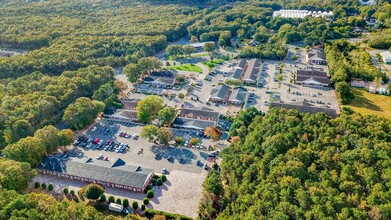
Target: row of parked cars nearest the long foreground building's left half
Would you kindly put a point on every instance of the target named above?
(100, 144)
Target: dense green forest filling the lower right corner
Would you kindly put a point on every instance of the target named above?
(289, 165)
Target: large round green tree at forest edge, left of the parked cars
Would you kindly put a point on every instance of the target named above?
(82, 112)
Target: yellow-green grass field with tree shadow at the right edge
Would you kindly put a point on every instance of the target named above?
(367, 103)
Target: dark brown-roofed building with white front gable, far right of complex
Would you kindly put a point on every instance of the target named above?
(312, 78)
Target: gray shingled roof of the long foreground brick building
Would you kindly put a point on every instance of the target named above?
(116, 172)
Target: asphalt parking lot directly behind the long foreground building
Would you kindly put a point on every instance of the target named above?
(141, 152)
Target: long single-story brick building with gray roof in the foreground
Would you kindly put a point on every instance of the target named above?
(106, 173)
